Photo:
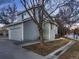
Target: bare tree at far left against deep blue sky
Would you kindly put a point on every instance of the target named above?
(8, 15)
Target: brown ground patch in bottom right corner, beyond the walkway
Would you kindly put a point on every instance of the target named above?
(72, 53)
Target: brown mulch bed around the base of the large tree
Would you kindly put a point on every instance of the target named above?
(46, 49)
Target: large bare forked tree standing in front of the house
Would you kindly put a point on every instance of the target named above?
(39, 13)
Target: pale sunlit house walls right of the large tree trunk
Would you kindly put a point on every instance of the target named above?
(50, 31)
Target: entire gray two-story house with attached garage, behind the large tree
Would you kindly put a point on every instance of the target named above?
(26, 30)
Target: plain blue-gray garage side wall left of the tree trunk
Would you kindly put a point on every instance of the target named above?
(30, 31)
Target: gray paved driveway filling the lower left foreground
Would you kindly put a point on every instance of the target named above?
(10, 51)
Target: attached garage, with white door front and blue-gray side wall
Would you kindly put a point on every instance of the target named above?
(23, 31)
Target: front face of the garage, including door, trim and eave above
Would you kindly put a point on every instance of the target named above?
(15, 32)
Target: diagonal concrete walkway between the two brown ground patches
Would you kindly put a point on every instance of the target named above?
(60, 51)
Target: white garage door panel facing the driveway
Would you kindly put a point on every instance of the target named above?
(16, 34)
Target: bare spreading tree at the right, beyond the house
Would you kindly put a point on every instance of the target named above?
(68, 14)
